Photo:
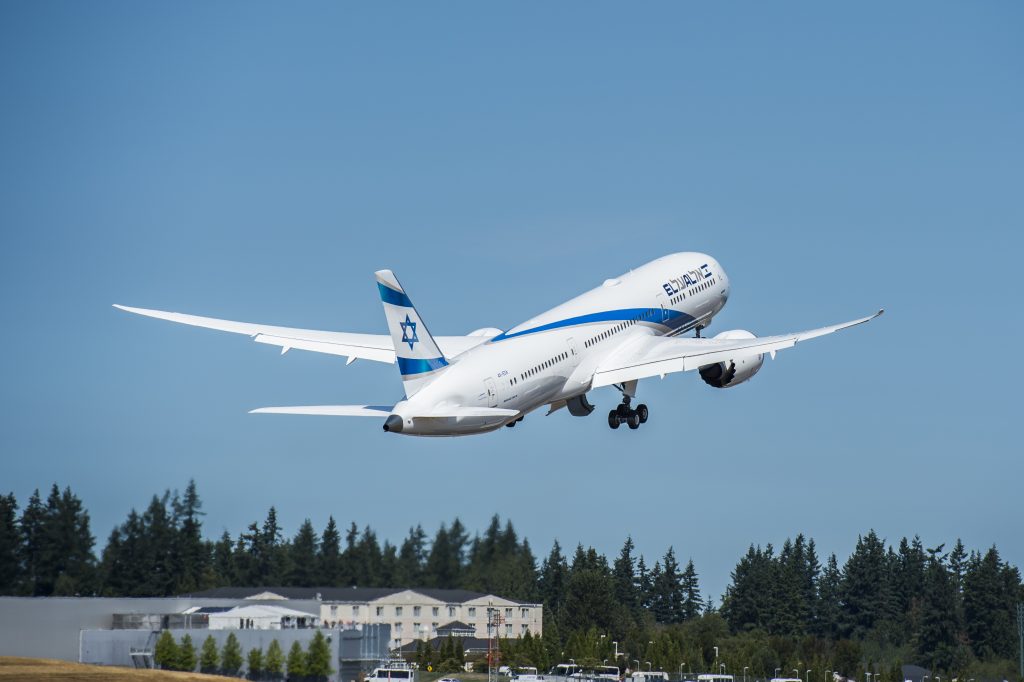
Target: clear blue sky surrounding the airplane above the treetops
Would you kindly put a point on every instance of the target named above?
(259, 162)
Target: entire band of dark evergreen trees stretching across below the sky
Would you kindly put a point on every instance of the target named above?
(953, 612)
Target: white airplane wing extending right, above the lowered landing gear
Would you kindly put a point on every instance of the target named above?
(653, 357)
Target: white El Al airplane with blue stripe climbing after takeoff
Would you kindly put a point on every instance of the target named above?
(628, 329)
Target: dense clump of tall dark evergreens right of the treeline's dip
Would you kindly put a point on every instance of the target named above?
(945, 609)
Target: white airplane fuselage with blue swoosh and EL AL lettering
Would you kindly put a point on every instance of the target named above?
(552, 358)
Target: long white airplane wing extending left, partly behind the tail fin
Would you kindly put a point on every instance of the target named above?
(364, 347)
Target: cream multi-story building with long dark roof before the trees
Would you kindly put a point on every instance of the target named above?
(413, 614)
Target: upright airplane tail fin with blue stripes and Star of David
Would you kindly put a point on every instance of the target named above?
(420, 361)
